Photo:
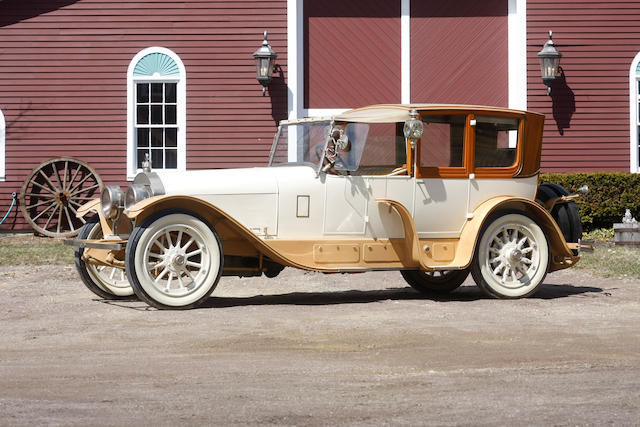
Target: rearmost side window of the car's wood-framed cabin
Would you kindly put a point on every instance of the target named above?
(492, 141)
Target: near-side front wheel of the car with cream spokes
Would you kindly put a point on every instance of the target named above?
(174, 260)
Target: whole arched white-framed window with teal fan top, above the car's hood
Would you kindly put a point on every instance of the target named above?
(156, 111)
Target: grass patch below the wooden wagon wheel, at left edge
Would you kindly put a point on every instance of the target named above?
(32, 250)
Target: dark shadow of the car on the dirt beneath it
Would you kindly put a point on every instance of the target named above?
(463, 294)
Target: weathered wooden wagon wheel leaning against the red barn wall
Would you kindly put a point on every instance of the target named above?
(53, 192)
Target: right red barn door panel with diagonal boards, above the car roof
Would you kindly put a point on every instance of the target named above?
(459, 52)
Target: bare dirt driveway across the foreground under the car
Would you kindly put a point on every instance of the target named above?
(312, 349)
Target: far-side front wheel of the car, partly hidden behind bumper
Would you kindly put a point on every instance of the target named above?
(106, 282)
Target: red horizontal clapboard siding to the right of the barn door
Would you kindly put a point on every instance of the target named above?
(587, 116)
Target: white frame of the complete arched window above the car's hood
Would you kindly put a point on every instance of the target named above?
(181, 98)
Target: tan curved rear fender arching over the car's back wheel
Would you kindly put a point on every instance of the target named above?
(562, 256)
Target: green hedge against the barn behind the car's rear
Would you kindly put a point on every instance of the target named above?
(610, 194)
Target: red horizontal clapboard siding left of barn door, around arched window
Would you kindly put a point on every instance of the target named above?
(63, 68)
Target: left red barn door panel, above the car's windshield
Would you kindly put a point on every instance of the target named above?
(352, 53)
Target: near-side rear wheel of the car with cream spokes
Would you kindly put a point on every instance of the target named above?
(512, 257)
